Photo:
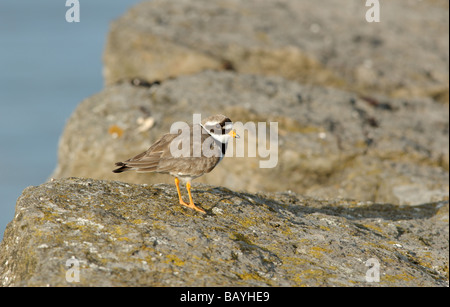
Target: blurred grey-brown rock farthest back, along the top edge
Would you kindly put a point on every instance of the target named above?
(325, 42)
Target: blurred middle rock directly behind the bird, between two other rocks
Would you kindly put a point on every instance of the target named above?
(331, 143)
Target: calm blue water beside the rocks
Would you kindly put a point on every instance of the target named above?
(47, 67)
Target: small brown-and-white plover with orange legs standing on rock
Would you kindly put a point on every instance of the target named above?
(203, 147)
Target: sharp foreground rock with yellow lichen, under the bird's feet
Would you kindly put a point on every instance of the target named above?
(124, 234)
